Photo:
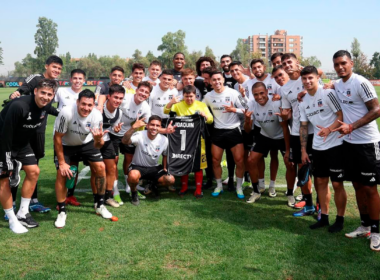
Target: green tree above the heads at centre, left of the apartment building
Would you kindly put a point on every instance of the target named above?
(171, 44)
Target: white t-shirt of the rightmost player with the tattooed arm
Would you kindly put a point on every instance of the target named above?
(353, 94)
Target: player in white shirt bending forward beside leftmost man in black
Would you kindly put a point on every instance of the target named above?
(79, 133)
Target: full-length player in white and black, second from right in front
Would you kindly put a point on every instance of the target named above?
(321, 108)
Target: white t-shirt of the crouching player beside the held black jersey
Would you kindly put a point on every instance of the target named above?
(148, 151)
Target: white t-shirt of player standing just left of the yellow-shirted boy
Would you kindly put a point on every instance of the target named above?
(158, 100)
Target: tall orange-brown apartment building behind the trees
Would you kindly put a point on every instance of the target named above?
(279, 42)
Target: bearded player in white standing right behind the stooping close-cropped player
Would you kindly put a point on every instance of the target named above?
(258, 69)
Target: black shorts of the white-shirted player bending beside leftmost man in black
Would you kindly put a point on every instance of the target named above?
(85, 152)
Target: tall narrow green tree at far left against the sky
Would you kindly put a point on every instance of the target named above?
(46, 40)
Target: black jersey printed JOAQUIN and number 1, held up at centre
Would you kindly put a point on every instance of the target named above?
(184, 150)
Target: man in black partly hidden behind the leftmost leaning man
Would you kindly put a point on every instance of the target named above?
(53, 68)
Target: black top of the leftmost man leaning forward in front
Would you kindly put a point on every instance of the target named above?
(19, 121)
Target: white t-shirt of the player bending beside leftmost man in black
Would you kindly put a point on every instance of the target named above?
(76, 128)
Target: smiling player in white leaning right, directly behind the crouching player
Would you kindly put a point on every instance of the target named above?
(134, 106)
